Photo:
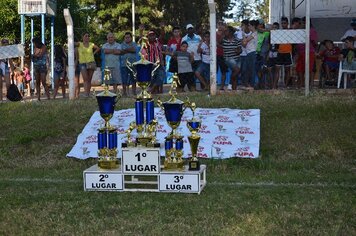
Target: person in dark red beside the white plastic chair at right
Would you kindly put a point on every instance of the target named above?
(330, 56)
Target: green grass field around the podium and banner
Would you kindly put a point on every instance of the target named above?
(303, 184)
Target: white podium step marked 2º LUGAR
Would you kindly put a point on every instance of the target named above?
(96, 179)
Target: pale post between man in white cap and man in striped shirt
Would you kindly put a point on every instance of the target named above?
(212, 9)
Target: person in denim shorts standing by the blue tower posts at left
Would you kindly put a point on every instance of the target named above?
(39, 58)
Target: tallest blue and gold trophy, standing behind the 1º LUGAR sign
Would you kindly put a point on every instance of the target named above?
(145, 123)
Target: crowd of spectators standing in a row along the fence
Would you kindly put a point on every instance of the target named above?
(246, 53)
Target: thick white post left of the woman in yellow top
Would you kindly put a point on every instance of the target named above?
(71, 65)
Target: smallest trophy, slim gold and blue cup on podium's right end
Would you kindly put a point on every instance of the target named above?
(194, 126)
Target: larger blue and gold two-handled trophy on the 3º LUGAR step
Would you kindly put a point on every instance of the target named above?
(173, 111)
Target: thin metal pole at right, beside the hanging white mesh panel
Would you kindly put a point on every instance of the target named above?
(307, 46)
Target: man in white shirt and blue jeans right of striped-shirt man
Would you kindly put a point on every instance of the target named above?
(250, 44)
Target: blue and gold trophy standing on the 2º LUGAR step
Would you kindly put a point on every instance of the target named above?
(107, 135)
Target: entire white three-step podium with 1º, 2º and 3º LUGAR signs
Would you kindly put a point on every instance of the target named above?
(140, 171)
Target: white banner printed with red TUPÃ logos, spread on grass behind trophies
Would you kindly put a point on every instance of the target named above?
(224, 133)
